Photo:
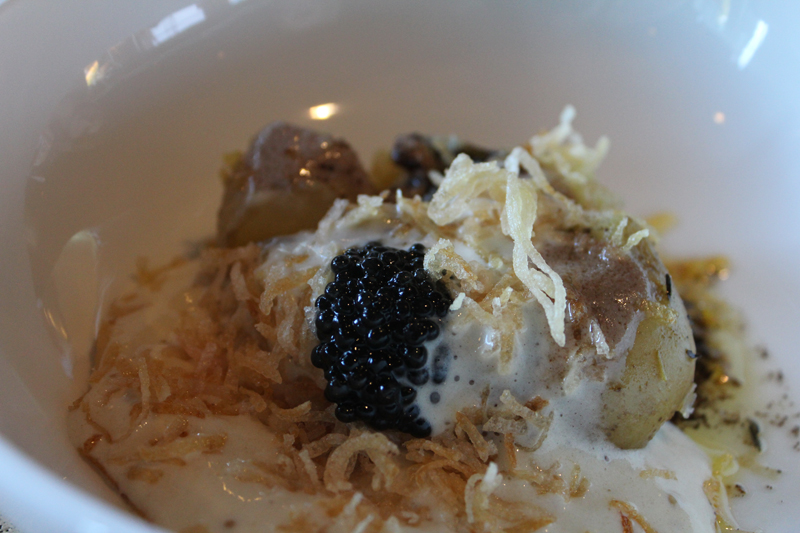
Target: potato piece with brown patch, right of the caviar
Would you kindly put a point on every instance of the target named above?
(612, 289)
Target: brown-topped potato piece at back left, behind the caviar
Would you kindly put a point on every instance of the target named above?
(285, 183)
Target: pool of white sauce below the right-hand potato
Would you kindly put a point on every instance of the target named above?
(667, 504)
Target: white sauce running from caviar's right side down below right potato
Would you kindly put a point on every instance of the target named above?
(574, 437)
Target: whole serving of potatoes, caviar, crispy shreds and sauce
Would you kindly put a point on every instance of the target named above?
(476, 339)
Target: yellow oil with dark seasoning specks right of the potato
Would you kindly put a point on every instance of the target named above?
(730, 412)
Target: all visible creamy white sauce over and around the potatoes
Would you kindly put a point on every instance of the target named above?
(208, 489)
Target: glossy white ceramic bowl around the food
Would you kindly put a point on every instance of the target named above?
(114, 117)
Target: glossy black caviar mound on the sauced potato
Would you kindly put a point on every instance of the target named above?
(372, 323)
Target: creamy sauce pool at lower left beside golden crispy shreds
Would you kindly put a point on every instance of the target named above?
(209, 489)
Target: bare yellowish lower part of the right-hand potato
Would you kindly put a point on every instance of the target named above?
(658, 375)
